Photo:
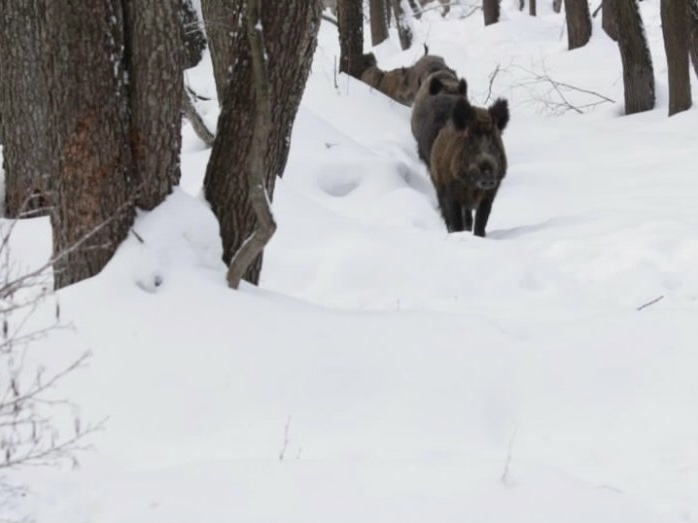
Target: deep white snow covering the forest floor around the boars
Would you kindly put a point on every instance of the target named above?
(385, 370)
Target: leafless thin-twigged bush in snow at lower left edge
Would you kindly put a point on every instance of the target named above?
(37, 427)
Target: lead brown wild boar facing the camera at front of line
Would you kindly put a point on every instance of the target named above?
(468, 163)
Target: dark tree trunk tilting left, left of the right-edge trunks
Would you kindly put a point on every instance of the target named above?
(638, 74)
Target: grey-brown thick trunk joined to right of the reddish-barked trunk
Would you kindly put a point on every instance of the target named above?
(154, 58)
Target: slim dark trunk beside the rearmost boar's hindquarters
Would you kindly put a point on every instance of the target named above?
(350, 19)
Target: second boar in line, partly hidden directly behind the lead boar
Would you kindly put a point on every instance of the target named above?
(433, 107)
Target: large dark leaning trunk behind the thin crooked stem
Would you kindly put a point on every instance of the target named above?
(291, 31)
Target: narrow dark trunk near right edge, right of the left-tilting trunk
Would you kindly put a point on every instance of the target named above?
(675, 30)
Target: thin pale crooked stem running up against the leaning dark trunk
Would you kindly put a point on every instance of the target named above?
(261, 126)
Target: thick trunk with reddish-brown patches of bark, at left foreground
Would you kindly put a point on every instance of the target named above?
(88, 128)
